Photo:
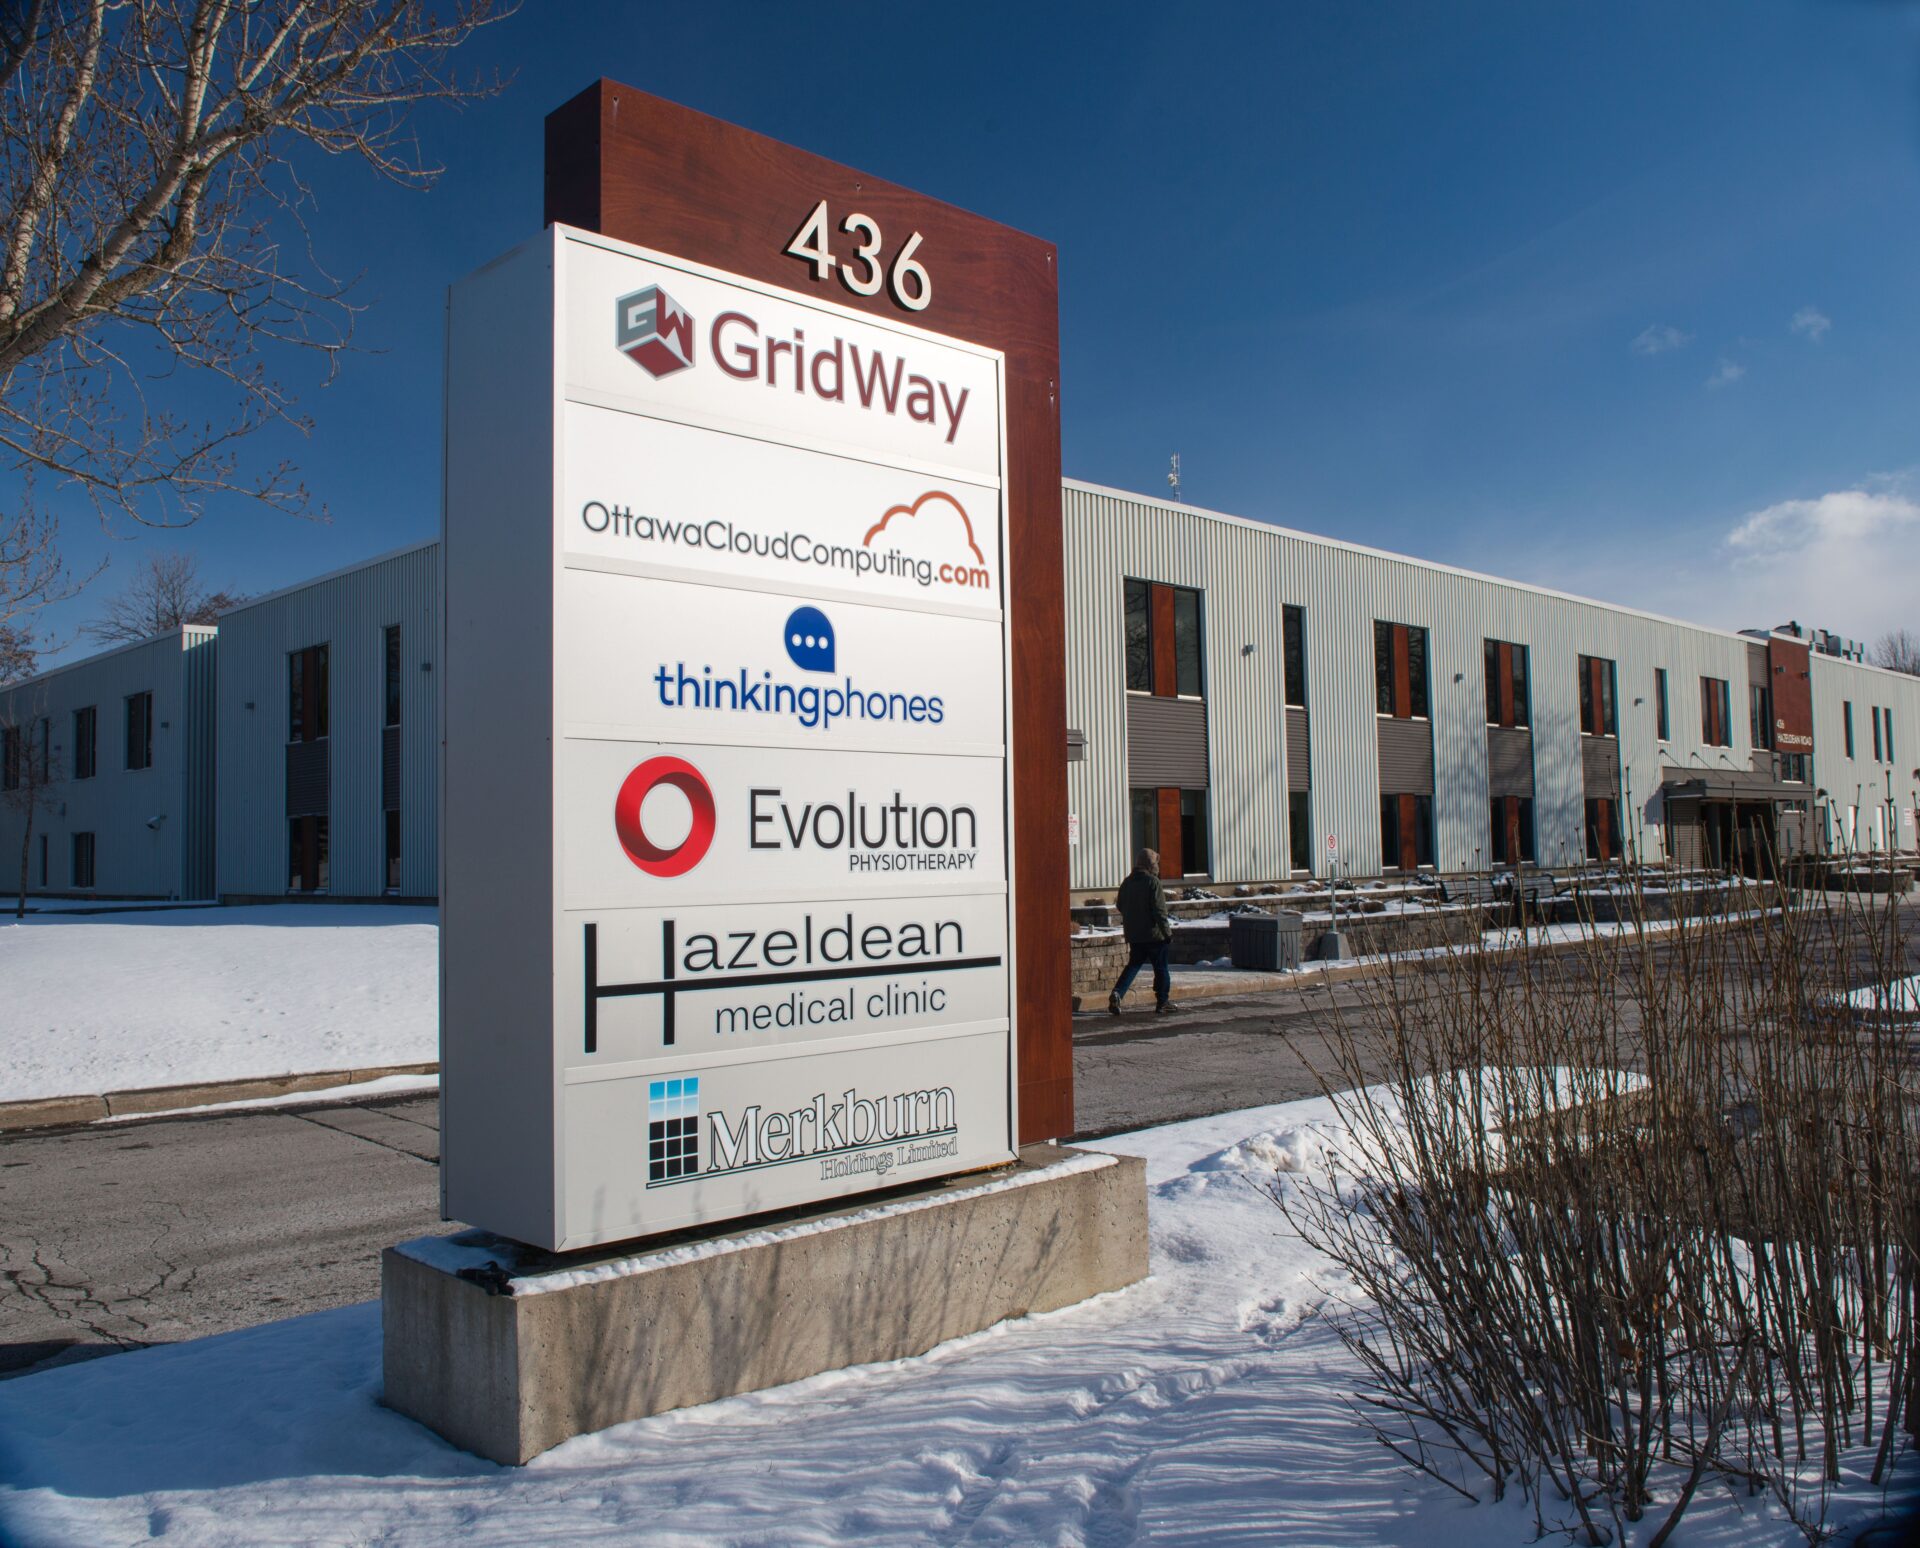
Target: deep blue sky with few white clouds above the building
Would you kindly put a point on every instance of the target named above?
(1620, 299)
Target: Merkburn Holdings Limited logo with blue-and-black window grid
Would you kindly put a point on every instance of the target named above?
(848, 1136)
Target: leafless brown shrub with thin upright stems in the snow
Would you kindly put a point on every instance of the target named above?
(1639, 1215)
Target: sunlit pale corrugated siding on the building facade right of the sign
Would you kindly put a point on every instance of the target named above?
(1249, 571)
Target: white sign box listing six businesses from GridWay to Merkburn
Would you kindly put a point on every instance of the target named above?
(777, 881)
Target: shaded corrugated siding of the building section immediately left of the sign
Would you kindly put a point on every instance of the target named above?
(348, 614)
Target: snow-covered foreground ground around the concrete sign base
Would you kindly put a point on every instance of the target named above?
(1209, 1405)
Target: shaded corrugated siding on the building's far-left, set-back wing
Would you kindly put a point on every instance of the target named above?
(145, 821)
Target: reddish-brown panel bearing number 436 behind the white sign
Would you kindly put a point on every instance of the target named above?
(650, 172)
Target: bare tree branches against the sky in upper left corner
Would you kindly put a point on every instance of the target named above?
(147, 201)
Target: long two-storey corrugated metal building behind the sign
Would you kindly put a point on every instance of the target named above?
(1257, 704)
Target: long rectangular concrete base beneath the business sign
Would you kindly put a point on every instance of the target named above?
(506, 1351)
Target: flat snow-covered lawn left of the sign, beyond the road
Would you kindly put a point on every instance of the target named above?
(122, 1002)
